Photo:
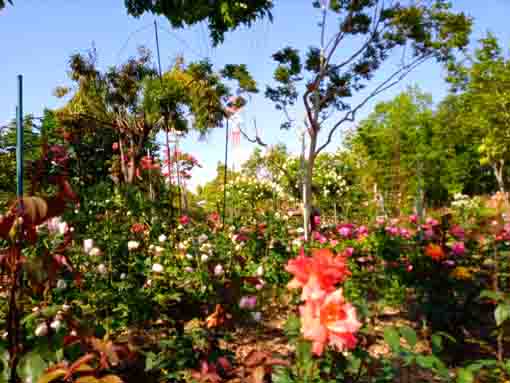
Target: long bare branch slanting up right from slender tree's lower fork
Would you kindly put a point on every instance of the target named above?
(391, 81)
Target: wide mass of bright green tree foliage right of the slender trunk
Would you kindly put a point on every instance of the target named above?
(406, 146)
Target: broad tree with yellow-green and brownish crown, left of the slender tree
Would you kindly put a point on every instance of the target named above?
(125, 107)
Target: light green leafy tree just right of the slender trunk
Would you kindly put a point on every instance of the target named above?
(396, 140)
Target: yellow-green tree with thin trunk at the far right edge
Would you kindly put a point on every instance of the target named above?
(484, 93)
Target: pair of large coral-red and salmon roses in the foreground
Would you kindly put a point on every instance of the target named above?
(326, 317)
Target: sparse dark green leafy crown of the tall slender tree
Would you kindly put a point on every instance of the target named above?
(431, 31)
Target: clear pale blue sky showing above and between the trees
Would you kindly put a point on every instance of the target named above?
(37, 38)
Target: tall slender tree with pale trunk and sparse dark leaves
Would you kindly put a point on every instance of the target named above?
(422, 31)
